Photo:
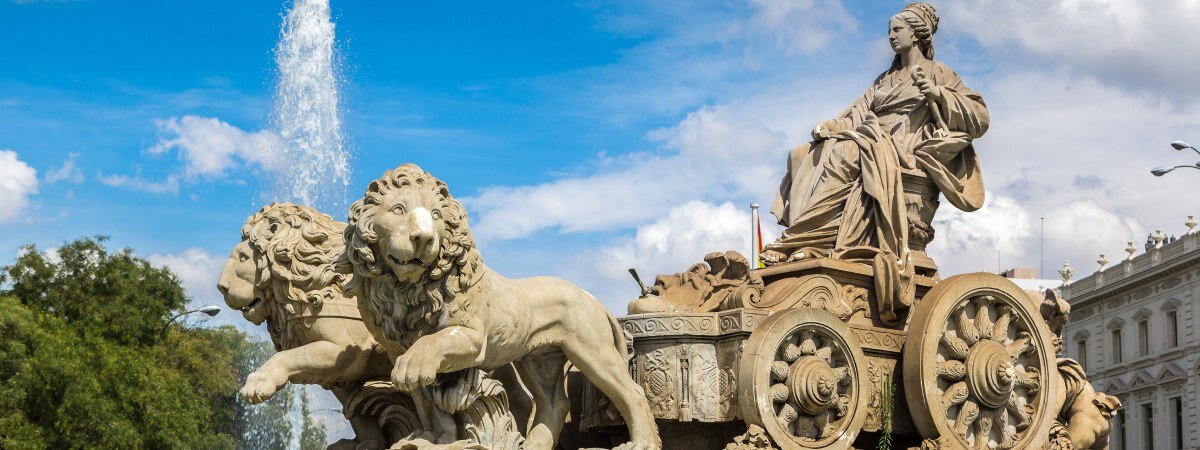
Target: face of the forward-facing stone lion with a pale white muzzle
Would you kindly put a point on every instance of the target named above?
(407, 224)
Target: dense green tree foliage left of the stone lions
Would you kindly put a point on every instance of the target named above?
(83, 367)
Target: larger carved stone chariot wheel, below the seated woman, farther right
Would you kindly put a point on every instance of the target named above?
(980, 365)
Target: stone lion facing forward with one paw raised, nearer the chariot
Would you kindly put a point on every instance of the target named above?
(440, 310)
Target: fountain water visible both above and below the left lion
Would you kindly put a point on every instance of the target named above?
(313, 169)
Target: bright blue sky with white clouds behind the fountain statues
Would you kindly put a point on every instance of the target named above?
(586, 137)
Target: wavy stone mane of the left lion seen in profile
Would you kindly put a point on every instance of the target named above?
(301, 249)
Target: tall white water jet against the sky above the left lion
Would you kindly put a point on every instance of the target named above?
(314, 169)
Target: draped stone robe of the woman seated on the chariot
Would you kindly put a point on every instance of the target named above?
(847, 193)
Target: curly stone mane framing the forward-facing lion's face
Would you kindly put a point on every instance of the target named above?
(407, 311)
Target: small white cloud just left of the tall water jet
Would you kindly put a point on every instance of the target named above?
(211, 147)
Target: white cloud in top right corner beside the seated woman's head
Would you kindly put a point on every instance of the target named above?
(1138, 44)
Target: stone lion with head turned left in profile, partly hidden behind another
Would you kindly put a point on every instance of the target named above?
(284, 273)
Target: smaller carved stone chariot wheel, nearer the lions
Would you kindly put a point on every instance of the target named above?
(800, 380)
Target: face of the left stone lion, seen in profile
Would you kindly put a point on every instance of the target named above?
(241, 280)
